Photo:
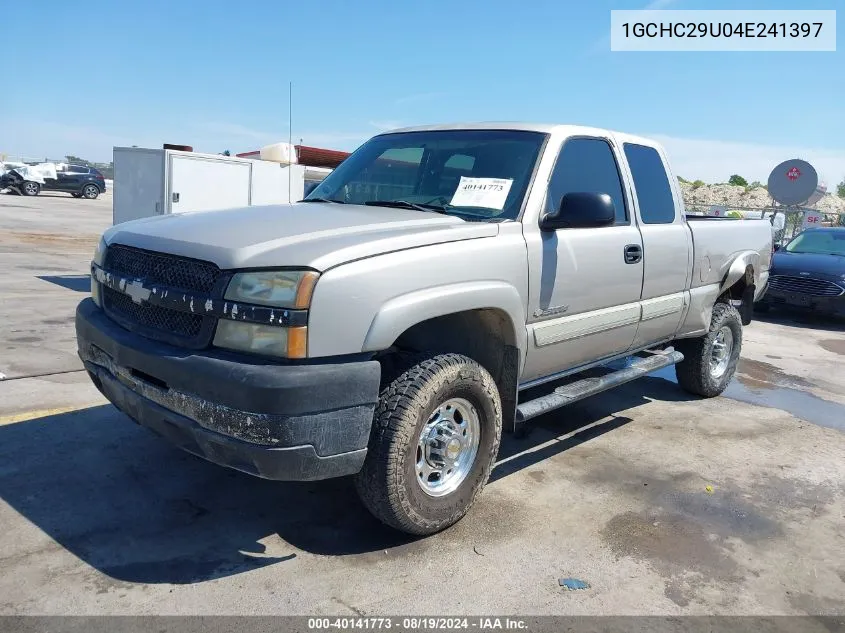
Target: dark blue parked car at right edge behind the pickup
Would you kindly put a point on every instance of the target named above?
(809, 273)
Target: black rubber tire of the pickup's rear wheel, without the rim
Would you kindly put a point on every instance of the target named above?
(693, 372)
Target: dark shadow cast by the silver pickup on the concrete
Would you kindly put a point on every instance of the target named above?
(138, 510)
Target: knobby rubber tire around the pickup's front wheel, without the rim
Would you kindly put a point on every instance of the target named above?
(387, 483)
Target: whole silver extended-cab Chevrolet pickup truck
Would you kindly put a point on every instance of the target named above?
(385, 326)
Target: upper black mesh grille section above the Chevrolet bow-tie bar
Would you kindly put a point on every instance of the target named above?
(173, 272)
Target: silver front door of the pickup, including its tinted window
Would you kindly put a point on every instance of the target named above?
(585, 283)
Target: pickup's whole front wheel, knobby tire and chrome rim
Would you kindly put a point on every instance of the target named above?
(435, 436)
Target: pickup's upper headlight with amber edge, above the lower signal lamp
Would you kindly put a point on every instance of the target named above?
(290, 289)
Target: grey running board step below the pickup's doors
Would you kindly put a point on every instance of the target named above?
(587, 387)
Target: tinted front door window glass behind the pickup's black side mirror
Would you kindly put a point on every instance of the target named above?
(587, 165)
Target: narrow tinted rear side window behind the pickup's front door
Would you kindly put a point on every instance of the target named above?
(657, 206)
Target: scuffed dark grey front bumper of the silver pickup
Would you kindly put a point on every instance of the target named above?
(293, 422)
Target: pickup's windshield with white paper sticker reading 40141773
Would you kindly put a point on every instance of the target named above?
(476, 174)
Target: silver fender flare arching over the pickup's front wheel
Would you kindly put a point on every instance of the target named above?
(398, 314)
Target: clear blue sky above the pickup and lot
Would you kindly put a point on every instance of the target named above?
(215, 75)
